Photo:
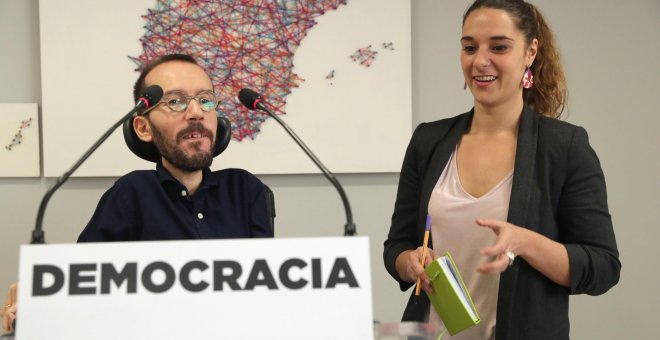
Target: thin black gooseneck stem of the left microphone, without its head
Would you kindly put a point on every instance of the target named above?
(38, 233)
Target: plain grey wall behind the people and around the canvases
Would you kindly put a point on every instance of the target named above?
(610, 49)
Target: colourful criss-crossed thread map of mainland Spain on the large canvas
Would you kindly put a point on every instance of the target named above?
(241, 43)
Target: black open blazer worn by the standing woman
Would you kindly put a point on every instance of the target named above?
(558, 191)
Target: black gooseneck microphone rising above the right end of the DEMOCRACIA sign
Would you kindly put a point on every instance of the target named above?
(253, 101)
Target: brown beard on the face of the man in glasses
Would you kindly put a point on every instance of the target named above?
(173, 153)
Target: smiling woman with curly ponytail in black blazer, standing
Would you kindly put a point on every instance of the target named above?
(506, 180)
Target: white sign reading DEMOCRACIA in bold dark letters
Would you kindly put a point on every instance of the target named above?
(306, 288)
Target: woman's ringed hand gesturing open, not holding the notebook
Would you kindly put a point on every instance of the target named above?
(509, 239)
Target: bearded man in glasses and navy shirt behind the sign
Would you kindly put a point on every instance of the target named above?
(182, 198)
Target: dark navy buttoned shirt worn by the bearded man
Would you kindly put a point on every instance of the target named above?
(153, 205)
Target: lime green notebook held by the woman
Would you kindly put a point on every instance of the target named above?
(450, 298)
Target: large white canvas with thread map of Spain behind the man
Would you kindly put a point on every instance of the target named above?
(337, 71)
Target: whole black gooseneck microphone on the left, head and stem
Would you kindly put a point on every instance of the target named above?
(149, 98)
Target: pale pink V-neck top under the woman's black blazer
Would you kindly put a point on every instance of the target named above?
(453, 228)
